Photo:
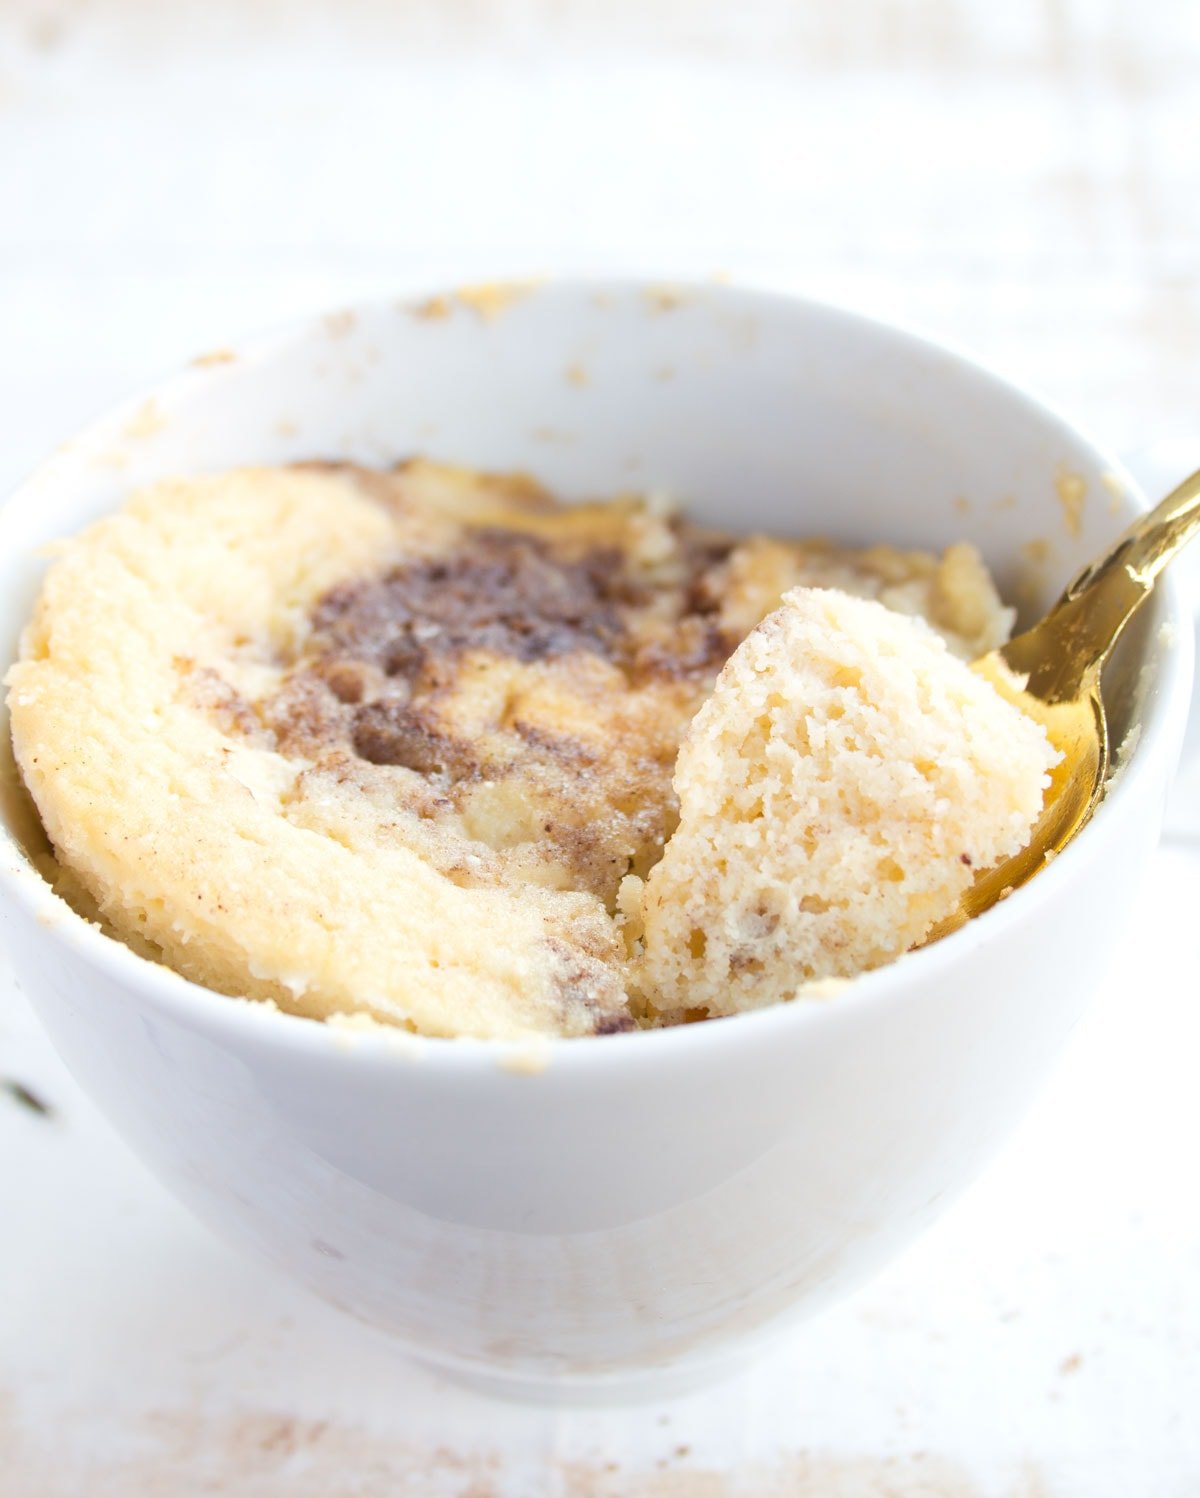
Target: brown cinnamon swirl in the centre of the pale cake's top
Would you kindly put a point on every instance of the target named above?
(539, 684)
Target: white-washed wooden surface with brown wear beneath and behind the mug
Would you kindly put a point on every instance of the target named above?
(1019, 179)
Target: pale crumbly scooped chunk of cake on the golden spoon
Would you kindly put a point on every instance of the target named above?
(838, 793)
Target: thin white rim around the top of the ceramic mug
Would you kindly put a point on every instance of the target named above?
(381, 1045)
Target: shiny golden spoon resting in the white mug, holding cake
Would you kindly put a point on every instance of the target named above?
(1052, 673)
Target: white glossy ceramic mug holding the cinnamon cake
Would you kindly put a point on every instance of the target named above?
(597, 1213)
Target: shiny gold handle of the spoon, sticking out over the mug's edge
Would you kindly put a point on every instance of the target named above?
(1072, 643)
